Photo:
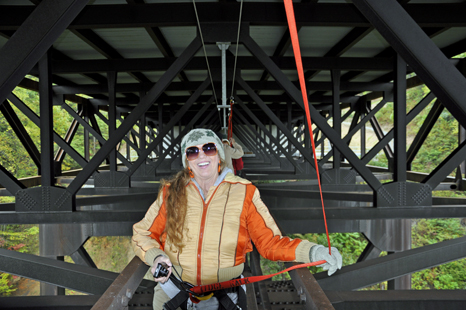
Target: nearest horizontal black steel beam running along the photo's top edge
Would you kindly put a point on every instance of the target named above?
(255, 13)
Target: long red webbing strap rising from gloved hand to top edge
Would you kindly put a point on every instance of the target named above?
(302, 83)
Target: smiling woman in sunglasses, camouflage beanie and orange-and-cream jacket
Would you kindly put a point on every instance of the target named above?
(202, 224)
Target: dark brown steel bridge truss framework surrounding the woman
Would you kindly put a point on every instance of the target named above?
(151, 75)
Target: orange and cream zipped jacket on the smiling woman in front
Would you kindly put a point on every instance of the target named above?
(218, 233)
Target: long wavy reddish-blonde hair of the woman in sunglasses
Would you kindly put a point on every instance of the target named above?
(176, 203)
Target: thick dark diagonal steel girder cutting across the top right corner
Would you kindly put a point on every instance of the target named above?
(418, 50)
